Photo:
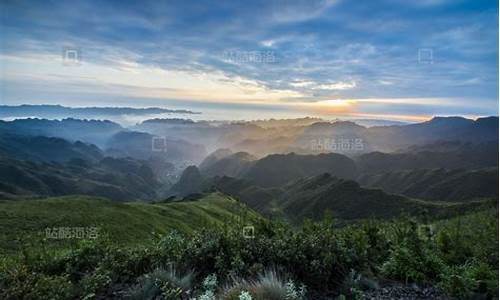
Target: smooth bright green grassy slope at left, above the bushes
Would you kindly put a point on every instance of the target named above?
(125, 223)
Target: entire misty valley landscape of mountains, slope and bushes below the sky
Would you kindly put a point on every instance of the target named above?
(126, 205)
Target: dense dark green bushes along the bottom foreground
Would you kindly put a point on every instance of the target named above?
(459, 255)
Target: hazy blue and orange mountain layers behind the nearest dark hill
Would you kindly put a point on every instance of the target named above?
(65, 149)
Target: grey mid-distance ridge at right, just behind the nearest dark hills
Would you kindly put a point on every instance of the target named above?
(279, 169)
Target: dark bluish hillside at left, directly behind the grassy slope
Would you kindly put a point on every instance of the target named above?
(118, 179)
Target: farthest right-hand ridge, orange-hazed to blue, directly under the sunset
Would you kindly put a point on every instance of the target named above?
(391, 138)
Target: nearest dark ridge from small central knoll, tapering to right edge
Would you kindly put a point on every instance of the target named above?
(312, 197)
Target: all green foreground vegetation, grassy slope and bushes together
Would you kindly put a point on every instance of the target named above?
(458, 255)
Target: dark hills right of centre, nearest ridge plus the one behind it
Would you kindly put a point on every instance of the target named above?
(313, 196)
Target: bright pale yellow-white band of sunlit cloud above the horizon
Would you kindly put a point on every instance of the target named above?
(129, 78)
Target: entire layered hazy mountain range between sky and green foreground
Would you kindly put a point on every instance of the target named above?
(453, 163)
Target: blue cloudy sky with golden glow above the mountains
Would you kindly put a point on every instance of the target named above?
(385, 59)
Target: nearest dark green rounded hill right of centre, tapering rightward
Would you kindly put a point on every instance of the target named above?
(346, 200)
